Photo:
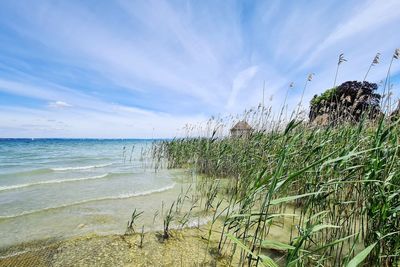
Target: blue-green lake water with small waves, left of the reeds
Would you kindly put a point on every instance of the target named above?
(53, 188)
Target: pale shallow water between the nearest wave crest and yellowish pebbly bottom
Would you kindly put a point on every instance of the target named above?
(101, 217)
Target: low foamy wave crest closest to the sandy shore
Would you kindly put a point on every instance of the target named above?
(122, 196)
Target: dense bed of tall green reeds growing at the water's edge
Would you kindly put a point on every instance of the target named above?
(341, 185)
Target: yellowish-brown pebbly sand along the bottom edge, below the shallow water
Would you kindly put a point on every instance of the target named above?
(187, 247)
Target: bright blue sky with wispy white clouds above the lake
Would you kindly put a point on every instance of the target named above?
(145, 69)
